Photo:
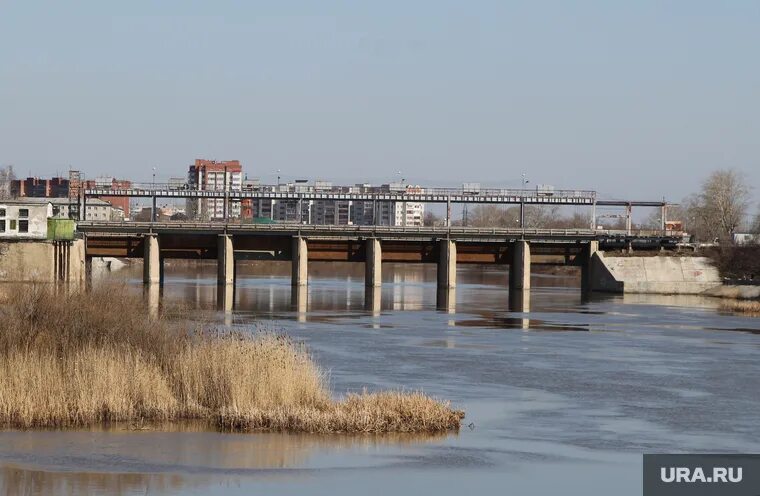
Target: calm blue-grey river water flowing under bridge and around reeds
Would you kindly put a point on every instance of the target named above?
(563, 399)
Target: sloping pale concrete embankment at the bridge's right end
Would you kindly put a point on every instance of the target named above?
(653, 275)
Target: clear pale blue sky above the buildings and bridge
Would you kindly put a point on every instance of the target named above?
(633, 99)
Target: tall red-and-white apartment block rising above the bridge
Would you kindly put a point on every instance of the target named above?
(210, 175)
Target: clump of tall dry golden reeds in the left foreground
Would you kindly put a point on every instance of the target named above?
(80, 359)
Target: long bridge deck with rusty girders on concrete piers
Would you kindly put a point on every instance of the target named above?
(446, 247)
